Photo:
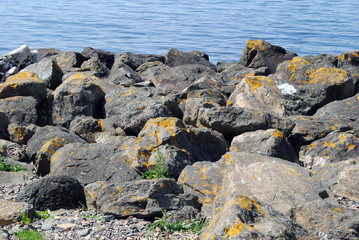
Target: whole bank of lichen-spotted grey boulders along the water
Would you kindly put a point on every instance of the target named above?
(261, 147)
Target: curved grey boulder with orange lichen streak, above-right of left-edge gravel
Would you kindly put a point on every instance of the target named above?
(44, 144)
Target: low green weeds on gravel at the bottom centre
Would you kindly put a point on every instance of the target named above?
(166, 225)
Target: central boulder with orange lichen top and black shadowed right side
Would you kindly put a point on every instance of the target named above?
(198, 144)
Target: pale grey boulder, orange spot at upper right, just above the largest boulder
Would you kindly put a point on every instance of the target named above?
(273, 143)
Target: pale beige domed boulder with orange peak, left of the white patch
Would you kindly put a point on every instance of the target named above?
(259, 93)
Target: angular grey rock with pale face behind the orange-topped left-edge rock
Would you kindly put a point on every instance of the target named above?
(48, 71)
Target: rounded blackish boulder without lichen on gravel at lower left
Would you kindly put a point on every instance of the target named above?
(53, 192)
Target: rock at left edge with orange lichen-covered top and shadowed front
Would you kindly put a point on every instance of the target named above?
(23, 84)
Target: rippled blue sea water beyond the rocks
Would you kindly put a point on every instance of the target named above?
(219, 28)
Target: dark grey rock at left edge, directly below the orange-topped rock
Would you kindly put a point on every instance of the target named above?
(20, 110)
